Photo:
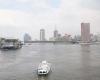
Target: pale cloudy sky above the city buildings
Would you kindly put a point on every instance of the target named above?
(18, 17)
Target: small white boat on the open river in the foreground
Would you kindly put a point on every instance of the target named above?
(44, 68)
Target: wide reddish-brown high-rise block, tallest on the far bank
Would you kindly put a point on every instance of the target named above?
(85, 32)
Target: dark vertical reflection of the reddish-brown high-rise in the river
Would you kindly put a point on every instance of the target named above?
(86, 62)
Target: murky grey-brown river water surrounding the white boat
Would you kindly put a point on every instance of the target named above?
(69, 62)
